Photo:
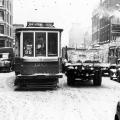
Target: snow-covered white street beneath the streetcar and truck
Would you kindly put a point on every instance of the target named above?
(82, 102)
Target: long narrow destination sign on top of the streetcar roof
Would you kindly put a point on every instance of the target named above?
(40, 24)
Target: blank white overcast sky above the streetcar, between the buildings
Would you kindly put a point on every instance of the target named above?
(62, 12)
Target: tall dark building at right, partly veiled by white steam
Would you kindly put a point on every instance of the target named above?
(106, 22)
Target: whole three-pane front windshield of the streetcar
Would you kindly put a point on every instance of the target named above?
(37, 44)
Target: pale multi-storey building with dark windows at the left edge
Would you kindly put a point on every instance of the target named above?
(6, 22)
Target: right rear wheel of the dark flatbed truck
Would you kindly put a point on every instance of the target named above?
(97, 80)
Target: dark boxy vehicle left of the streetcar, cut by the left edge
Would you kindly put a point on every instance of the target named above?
(6, 59)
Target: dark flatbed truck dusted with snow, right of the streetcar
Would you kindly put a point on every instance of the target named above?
(88, 70)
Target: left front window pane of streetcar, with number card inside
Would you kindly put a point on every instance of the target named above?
(28, 44)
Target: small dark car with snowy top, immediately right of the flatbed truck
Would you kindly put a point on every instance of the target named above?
(105, 69)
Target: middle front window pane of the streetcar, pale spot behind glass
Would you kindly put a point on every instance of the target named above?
(40, 44)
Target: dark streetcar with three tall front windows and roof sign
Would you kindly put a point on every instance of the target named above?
(38, 58)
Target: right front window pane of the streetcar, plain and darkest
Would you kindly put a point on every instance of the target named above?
(52, 44)
